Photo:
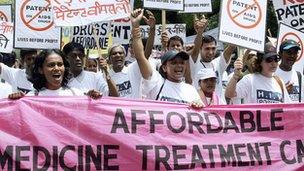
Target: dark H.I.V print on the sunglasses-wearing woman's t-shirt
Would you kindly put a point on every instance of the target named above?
(268, 97)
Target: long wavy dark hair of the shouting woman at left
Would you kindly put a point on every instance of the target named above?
(39, 81)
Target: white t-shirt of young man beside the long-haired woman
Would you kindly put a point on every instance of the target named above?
(87, 80)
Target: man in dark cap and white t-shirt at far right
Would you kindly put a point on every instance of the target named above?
(293, 79)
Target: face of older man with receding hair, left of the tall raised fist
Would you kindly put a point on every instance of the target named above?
(117, 59)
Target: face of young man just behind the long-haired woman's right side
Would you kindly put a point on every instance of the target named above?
(75, 59)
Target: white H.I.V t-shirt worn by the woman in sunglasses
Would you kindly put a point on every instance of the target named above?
(256, 88)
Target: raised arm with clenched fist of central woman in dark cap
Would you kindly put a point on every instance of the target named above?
(143, 63)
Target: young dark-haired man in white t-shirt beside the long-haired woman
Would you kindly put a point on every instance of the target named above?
(85, 80)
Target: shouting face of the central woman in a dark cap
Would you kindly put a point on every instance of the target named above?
(175, 69)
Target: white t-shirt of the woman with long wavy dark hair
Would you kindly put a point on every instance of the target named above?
(58, 92)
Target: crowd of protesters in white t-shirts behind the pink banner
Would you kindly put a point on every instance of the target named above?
(196, 76)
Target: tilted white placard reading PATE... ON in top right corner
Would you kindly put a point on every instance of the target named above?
(290, 12)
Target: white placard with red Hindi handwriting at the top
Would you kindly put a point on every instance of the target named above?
(76, 13)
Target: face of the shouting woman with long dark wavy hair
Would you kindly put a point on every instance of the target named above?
(53, 70)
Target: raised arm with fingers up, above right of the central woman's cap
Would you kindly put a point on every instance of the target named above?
(199, 26)
